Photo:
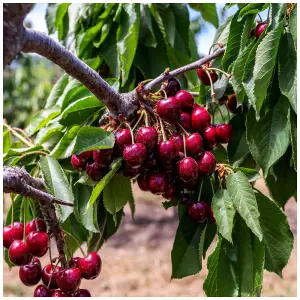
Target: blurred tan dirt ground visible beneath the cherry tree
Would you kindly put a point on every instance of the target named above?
(136, 261)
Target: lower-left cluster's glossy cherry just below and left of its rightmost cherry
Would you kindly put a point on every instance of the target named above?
(68, 280)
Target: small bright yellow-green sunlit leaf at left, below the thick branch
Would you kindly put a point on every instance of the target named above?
(41, 119)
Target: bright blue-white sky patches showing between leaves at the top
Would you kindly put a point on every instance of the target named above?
(203, 40)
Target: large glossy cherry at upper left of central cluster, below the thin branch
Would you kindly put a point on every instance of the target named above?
(168, 109)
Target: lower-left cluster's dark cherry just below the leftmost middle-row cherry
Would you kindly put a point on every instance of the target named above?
(31, 274)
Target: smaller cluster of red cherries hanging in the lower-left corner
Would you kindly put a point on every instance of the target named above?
(57, 281)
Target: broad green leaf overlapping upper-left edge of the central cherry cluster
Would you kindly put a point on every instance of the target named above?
(90, 138)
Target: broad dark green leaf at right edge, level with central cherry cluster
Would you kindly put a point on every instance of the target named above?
(268, 139)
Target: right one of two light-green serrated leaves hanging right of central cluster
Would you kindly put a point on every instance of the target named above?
(244, 201)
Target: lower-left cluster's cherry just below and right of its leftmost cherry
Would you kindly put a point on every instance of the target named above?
(18, 253)
